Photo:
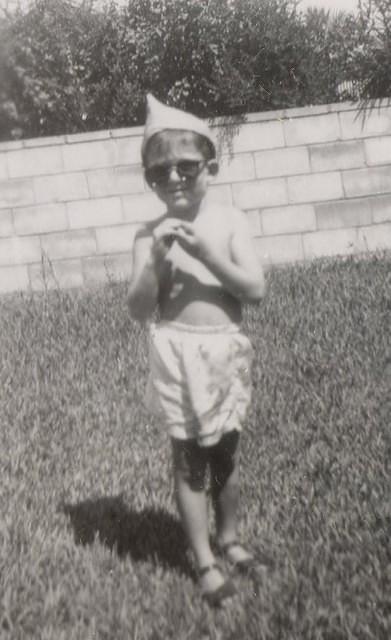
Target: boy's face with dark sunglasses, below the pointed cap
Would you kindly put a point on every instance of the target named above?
(177, 171)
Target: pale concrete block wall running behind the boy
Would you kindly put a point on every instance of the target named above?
(313, 181)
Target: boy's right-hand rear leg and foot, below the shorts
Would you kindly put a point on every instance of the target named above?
(224, 466)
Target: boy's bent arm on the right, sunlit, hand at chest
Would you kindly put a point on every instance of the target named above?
(242, 274)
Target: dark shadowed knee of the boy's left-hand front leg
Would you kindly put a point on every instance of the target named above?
(189, 461)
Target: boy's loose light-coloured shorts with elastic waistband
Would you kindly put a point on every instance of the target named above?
(199, 384)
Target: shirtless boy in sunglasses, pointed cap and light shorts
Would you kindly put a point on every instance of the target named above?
(196, 264)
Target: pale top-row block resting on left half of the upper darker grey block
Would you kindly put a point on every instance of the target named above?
(311, 129)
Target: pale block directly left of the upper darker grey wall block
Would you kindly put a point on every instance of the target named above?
(282, 162)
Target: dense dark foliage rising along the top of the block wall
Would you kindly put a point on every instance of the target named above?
(67, 67)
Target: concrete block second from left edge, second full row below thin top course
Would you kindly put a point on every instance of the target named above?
(61, 188)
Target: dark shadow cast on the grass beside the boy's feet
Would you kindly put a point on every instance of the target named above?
(149, 534)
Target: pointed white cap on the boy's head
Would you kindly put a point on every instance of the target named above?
(160, 117)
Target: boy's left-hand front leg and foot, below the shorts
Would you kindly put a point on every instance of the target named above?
(190, 461)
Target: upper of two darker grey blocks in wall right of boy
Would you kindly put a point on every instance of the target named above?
(337, 155)
